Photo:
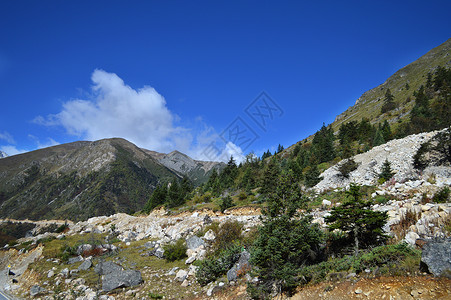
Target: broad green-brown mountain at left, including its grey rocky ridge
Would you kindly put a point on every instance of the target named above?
(84, 179)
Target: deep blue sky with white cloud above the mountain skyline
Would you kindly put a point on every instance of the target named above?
(180, 74)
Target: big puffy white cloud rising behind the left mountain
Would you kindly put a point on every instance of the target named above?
(140, 116)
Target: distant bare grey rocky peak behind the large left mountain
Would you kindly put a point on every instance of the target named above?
(197, 171)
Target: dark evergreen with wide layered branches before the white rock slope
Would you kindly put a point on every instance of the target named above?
(355, 217)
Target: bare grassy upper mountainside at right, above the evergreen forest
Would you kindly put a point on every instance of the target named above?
(402, 85)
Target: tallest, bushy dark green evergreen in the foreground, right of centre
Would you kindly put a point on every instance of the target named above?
(285, 242)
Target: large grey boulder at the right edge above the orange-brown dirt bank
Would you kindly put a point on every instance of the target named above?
(436, 257)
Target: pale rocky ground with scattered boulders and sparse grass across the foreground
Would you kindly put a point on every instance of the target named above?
(134, 268)
